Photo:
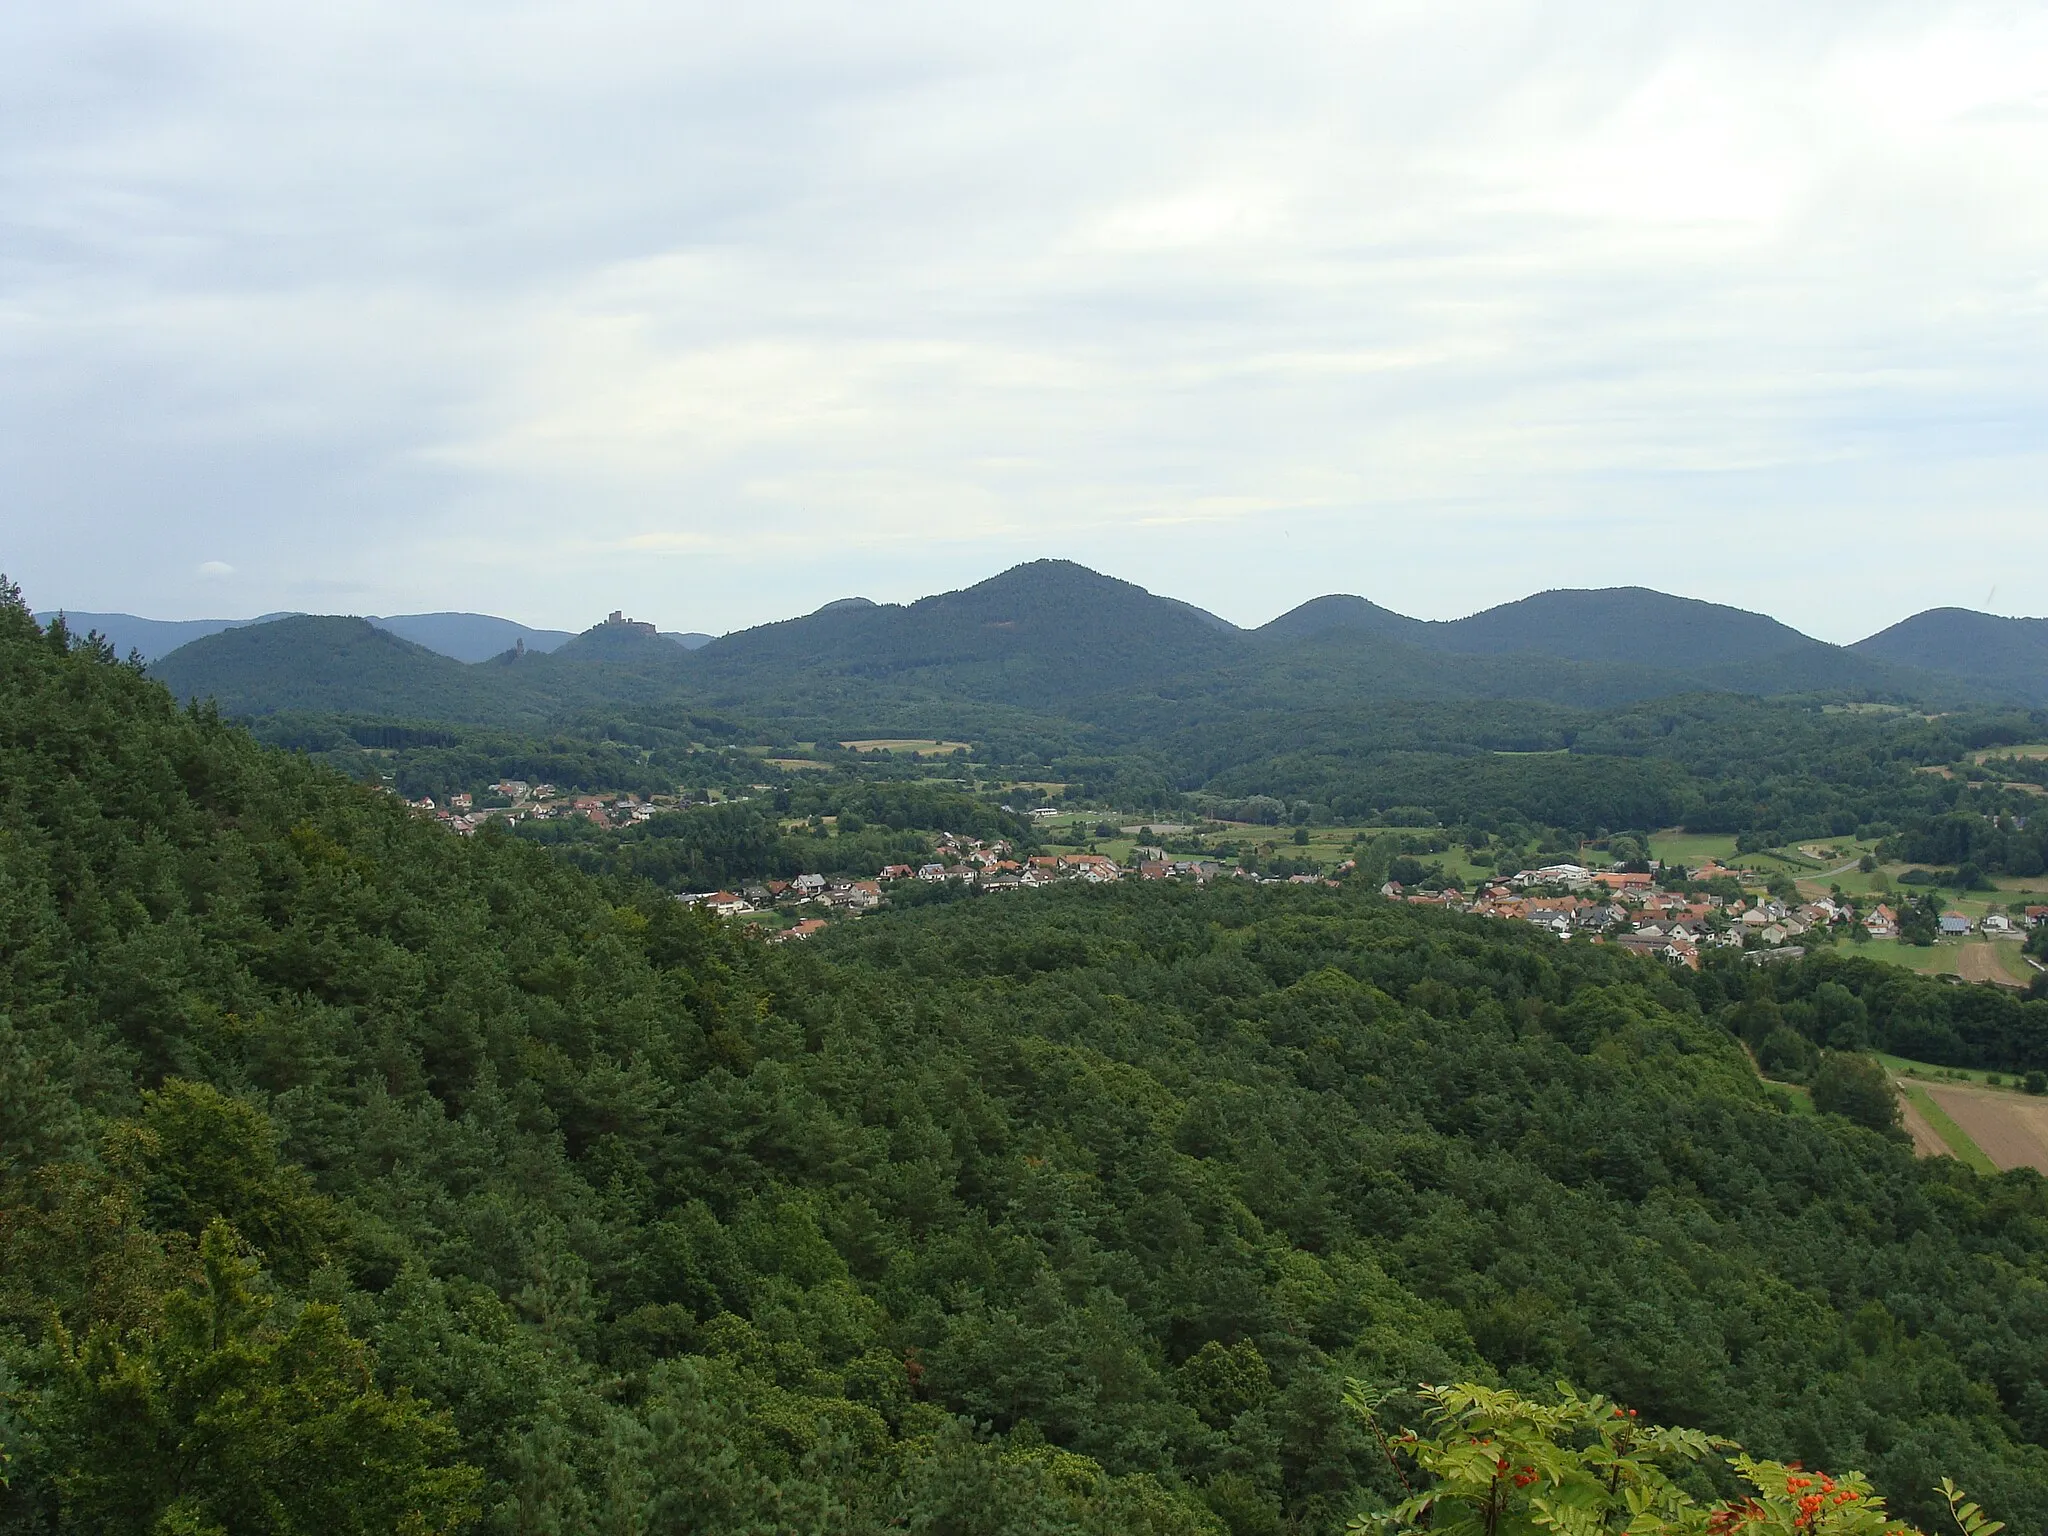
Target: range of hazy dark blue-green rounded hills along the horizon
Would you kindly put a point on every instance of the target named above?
(1054, 640)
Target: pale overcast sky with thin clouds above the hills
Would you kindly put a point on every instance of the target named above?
(718, 312)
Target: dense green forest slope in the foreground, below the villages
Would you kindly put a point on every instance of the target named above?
(353, 1175)
